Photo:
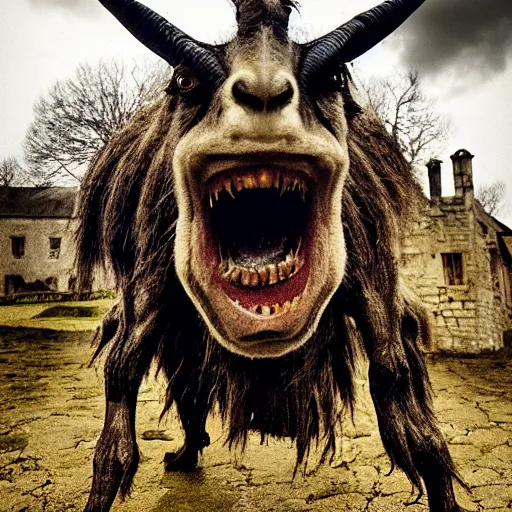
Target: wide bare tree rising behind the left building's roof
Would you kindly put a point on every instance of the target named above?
(78, 116)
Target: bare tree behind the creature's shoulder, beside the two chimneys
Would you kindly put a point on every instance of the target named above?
(408, 113)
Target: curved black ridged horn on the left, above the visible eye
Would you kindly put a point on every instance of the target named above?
(164, 39)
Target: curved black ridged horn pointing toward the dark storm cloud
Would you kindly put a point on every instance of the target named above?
(357, 36)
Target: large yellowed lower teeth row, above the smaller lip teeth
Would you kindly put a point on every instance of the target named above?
(264, 275)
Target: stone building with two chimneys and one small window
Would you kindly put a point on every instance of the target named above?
(457, 258)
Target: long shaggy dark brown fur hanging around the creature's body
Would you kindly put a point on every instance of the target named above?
(128, 218)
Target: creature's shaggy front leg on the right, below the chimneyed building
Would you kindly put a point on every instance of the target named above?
(407, 423)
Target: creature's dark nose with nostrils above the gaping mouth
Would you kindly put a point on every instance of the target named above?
(262, 97)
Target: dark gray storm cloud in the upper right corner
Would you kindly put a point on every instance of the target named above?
(472, 37)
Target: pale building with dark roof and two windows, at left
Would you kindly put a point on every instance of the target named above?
(37, 250)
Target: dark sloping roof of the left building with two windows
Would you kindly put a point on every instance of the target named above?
(27, 202)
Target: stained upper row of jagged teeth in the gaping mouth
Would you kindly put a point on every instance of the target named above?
(263, 178)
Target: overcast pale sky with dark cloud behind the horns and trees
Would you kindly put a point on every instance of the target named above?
(462, 49)
